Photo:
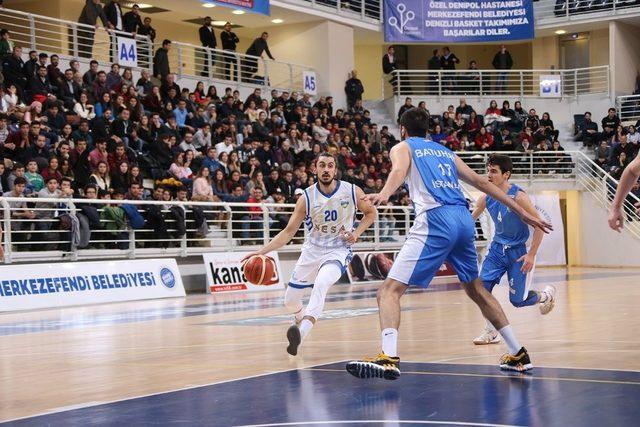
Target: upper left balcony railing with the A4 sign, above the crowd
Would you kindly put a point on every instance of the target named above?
(71, 40)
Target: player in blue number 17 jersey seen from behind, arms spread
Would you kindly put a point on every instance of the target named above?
(443, 230)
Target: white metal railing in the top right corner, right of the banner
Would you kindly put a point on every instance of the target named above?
(581, 9)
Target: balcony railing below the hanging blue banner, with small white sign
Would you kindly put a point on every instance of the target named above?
(522, 83)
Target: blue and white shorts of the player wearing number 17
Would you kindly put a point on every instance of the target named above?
(445, 233)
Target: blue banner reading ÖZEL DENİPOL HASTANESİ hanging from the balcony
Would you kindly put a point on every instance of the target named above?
(472, 21)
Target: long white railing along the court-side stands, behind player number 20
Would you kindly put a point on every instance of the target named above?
(33, 228)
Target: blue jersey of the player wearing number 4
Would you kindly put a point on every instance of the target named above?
(510, 230)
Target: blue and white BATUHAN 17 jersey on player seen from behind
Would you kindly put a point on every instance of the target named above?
(433, 177)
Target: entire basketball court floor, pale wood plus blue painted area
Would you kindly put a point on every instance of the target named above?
(220, 360)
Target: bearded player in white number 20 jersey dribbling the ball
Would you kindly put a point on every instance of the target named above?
(328, 209)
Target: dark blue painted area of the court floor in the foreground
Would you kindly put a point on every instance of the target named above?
(427, 393)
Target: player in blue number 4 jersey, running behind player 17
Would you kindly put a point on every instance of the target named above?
(508, 252)
